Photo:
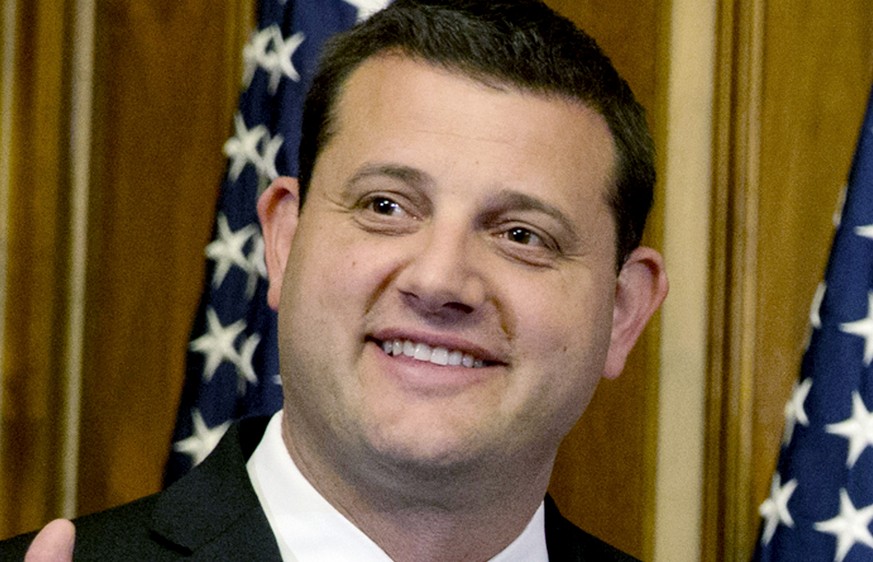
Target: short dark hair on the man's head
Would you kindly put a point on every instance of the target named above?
(520, 43)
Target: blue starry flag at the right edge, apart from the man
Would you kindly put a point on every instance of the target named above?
(821, 500)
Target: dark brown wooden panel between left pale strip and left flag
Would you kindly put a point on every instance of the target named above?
(167, 78)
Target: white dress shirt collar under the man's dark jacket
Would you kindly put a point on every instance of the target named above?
(309, 529)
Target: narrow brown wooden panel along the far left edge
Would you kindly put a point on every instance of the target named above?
(35, 300)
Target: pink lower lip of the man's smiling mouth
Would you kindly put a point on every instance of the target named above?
(428, 378)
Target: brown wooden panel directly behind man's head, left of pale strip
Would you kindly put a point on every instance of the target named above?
(605, 472)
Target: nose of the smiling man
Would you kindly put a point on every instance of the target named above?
(443, 278)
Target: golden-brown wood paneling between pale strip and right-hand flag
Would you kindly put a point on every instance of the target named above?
(794, 81)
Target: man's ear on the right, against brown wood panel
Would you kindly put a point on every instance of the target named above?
(639, 291)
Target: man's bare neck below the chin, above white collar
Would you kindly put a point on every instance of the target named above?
(446, 514)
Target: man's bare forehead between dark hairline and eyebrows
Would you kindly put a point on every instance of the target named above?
(396, 107)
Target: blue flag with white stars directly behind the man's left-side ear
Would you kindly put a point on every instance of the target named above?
(232, 362)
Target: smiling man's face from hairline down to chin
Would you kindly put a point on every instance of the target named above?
(450, 292)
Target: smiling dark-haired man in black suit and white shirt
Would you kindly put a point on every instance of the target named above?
(456, 268)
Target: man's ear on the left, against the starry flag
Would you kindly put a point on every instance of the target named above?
(278, 208)
